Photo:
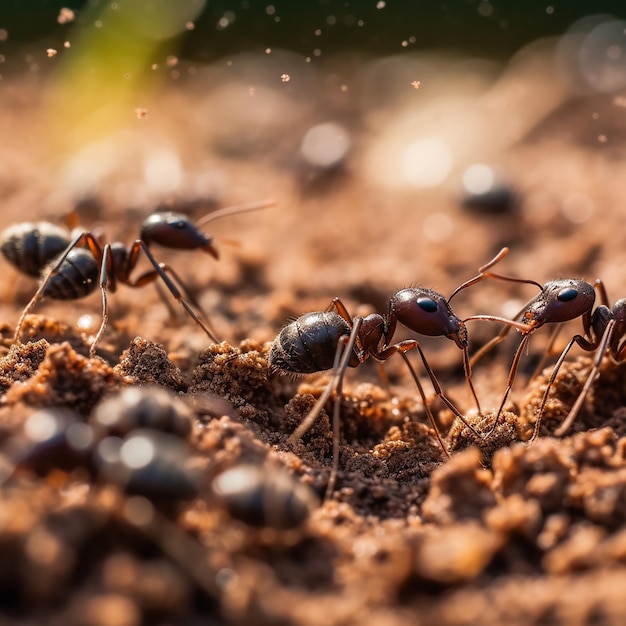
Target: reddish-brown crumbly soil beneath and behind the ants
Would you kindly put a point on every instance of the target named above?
(502, 532)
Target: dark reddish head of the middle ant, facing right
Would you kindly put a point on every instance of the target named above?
(427, 312)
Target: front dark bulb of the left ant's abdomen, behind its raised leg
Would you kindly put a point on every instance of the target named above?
(77, 277)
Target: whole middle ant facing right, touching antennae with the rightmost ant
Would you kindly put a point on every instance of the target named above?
(333, 339)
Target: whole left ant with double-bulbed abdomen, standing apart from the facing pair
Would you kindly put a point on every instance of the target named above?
(73, 263)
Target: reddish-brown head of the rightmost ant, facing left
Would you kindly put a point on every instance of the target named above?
(560, 300)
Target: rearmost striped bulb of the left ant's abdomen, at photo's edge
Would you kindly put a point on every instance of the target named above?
(30, 246)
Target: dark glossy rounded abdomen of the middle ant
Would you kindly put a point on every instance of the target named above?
(309, 343)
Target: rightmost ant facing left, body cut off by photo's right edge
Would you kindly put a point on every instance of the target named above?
(558, 301)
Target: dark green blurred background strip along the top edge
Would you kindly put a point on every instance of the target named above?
(474, 27)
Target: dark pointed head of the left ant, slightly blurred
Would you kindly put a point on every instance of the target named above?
(176, 231)
